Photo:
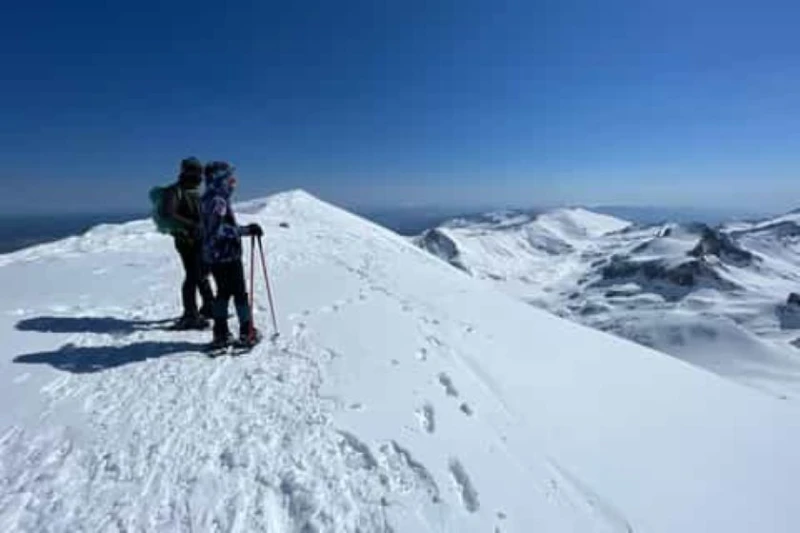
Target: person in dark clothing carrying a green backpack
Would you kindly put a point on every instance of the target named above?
(182, 205)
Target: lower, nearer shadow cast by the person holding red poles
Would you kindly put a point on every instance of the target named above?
(87, 359)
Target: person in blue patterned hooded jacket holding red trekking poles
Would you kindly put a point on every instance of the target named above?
(222, 250)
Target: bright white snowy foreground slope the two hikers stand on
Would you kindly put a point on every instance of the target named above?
(402, 396)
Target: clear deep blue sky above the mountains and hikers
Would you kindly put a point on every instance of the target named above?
(412, 102)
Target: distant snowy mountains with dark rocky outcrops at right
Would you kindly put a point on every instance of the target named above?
(712, 297)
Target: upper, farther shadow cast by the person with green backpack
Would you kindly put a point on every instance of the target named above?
(89, 324)
